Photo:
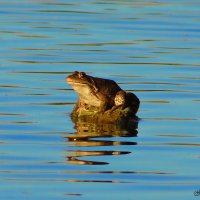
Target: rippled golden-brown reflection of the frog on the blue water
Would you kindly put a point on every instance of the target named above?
(95, 135)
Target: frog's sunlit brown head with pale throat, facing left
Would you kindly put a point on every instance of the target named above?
(81, 82)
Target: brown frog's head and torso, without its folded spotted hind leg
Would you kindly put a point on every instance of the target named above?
(94, 94)
